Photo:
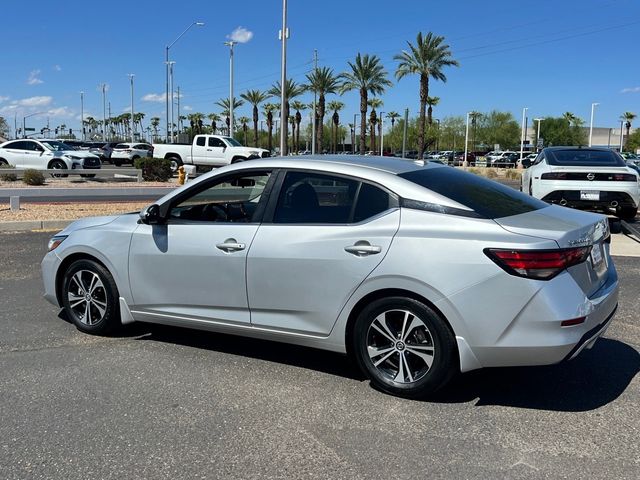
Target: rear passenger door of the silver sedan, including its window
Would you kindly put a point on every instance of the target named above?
(321, 237)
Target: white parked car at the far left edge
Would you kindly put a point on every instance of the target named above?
(45, 155)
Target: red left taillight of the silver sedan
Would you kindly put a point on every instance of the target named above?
(537, 264)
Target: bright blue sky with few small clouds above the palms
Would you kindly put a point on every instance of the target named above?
(551, 56)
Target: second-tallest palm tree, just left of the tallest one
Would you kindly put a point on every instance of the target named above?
(367, 75)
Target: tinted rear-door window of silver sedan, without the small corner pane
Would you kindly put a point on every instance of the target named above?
(315, 198)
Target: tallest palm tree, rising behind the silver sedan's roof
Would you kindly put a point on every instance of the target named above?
(427, 58)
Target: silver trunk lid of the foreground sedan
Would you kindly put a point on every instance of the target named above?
(569, 228)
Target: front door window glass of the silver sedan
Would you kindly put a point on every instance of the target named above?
(232, 199)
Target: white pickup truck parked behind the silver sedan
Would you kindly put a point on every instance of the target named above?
(207, 150)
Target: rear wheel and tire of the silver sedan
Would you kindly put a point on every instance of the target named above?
(427, 338)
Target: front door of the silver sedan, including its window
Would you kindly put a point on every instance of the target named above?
(193, 266)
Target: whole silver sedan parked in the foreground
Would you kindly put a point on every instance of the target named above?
(416, 270)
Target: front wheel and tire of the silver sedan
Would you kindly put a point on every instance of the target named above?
(104, 310)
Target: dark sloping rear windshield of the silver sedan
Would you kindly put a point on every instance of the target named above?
(488, 199)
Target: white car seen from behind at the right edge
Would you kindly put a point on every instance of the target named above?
(584, 178)
